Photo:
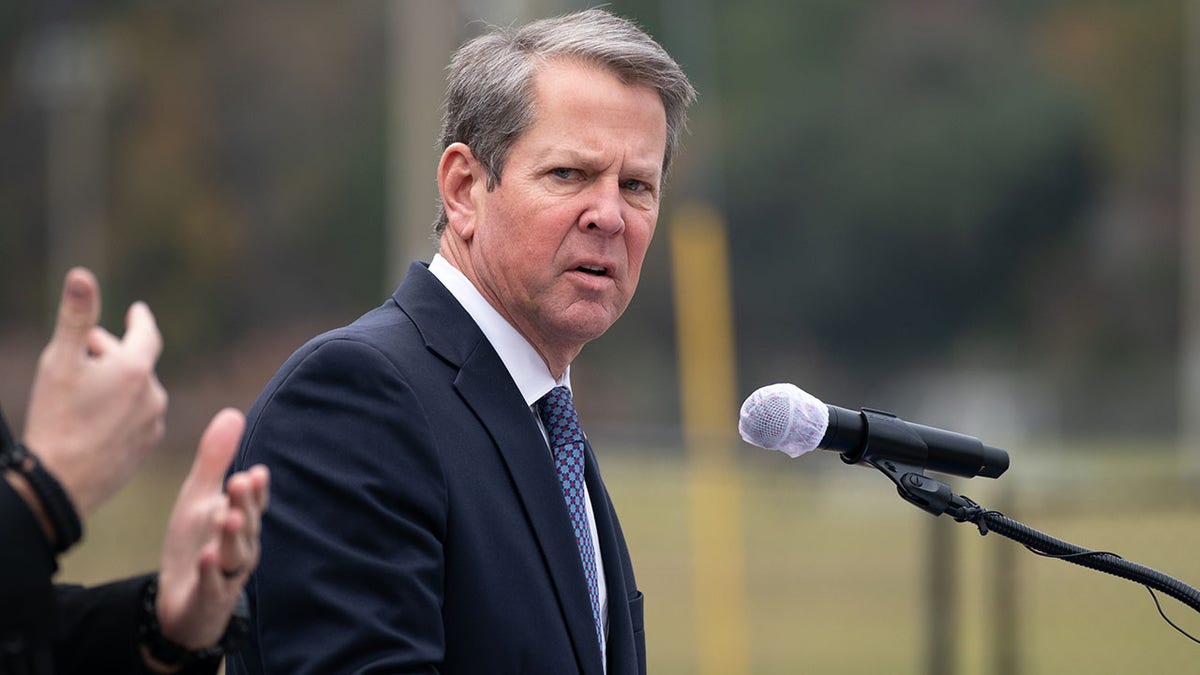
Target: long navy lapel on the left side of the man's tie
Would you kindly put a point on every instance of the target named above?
(488, 389)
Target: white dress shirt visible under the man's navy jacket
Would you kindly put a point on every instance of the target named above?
(532, 378)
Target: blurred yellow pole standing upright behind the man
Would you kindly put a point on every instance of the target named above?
(704, 315)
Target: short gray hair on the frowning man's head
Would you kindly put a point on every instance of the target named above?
(490, 83)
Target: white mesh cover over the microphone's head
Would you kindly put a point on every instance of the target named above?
(784, 417)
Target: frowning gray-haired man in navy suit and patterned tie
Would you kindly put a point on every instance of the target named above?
(437, 509)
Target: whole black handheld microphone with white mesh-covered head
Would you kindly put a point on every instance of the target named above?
(784, 417)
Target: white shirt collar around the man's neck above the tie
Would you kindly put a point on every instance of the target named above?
(524, 363)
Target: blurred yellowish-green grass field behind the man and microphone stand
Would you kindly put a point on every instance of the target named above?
(837, 564)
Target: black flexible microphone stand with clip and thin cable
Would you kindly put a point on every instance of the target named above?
(934, 497)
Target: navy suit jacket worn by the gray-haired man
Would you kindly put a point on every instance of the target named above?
(417, 524)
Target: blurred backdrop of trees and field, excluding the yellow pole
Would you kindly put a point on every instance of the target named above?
(979, 216)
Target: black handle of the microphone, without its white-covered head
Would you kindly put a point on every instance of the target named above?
(877, 437)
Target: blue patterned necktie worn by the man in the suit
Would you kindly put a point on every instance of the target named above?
(567, 440)
